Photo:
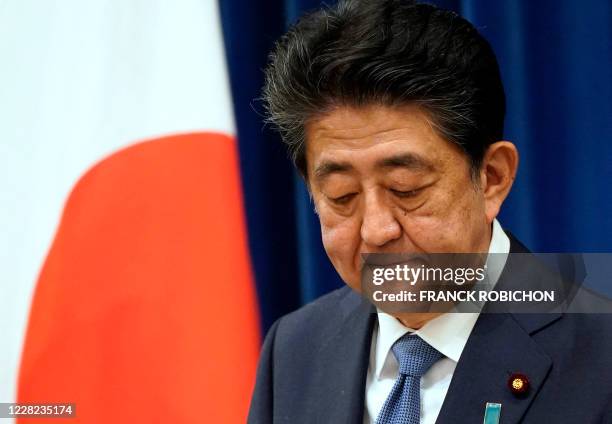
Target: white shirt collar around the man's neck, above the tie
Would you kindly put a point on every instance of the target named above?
(447, 333)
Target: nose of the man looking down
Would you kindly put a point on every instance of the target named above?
(379, 225)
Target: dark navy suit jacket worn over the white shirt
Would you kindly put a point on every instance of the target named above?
(314, 363)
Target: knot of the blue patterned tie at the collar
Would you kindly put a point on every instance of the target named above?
(414, 355)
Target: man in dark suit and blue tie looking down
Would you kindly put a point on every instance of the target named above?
(393, 113)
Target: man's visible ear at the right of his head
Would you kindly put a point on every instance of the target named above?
(497, 175)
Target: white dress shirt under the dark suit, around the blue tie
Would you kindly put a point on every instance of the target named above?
(447, 333)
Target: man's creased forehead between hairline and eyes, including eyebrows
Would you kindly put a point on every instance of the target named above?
(371, 138)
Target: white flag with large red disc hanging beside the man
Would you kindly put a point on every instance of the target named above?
(126, 283)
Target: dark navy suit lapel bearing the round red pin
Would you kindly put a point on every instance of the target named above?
(500, 345)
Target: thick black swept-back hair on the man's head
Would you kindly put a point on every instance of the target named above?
(388, 52)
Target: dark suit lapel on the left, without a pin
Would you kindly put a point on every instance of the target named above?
(343, 373)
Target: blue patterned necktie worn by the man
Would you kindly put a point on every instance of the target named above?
(415, 357)
